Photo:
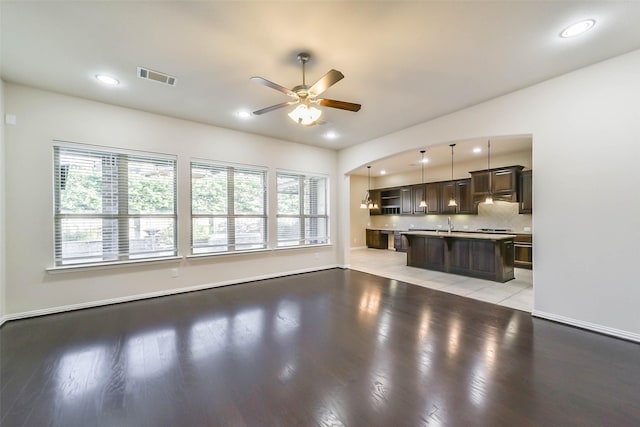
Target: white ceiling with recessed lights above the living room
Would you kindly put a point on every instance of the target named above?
(405, 62)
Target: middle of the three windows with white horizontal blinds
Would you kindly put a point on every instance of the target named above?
(228, 208)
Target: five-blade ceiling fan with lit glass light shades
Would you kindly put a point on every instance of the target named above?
(307, 96)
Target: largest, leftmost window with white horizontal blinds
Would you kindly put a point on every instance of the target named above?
(113, 206)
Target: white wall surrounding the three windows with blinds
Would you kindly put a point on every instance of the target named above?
(43, 116)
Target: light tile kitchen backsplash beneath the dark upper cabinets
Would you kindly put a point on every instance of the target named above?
(498, 215)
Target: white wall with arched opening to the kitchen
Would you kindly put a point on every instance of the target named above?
(586, 147)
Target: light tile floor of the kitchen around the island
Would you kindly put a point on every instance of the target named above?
(517, 293)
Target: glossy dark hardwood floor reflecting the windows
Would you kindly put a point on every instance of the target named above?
(329, 348)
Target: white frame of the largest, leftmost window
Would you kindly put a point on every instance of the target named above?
(121, 254)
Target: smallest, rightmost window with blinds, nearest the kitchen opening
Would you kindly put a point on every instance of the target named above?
(302, 210)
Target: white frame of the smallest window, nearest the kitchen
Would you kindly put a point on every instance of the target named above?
(304, 240)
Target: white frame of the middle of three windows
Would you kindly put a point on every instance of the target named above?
(230, 216)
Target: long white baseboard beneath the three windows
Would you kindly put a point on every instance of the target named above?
(129, 298)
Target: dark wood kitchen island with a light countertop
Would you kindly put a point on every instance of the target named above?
(482, 255)
